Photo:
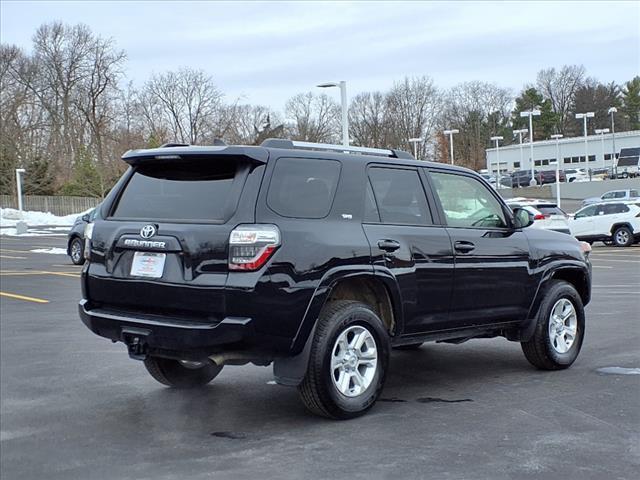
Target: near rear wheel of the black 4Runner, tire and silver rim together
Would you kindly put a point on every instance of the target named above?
(347, 363)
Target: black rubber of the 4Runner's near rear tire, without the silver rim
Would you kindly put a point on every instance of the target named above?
(318, 392)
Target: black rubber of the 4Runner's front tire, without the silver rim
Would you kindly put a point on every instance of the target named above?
(539, 350)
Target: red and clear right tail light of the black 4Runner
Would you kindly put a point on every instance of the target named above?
(250, 246)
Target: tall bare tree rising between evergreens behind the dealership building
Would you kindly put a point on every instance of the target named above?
(560, 87)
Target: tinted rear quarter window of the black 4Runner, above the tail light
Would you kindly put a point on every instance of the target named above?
(303, 187)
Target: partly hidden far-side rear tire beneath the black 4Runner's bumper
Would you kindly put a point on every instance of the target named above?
(173, 373)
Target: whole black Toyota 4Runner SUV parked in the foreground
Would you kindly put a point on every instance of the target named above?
(320, 261)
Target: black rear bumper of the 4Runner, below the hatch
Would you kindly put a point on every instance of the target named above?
(166, 334)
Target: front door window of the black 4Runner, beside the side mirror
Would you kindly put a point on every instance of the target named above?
(467, 202)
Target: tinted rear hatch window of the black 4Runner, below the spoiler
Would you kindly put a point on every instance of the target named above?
(181, 191)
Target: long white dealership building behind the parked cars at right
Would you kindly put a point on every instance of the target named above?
(599, 149)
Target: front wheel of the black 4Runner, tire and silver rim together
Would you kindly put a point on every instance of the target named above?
(559, 332)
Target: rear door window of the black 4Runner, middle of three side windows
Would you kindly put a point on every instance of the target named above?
(400, 196)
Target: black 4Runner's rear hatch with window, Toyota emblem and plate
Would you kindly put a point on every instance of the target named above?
(163, 246)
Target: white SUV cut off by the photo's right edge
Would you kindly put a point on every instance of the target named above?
(616, 222)
